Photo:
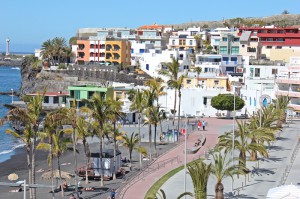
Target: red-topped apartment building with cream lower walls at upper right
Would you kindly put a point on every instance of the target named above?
(270, 42)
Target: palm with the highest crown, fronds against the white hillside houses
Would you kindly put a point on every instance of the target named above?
(172, 74)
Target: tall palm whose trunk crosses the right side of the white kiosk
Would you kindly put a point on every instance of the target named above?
(114, 116)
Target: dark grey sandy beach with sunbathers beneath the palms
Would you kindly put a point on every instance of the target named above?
(18, 164)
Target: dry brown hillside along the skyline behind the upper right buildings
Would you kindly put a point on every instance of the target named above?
(278, 20)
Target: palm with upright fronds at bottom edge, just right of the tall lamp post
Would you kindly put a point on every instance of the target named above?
(199, 172)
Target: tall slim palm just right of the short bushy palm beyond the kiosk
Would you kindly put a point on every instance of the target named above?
(137, 105)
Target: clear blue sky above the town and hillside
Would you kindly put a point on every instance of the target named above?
(29, 23)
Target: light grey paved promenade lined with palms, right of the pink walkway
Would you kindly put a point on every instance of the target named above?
(282, 167)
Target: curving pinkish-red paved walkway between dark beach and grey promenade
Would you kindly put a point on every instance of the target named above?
(138, 188)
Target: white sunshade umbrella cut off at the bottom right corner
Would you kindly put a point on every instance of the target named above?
(284, 192)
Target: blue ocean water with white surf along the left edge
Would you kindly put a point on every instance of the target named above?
(10, 78)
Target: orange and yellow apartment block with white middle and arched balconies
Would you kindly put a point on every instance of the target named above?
(111, 51)
